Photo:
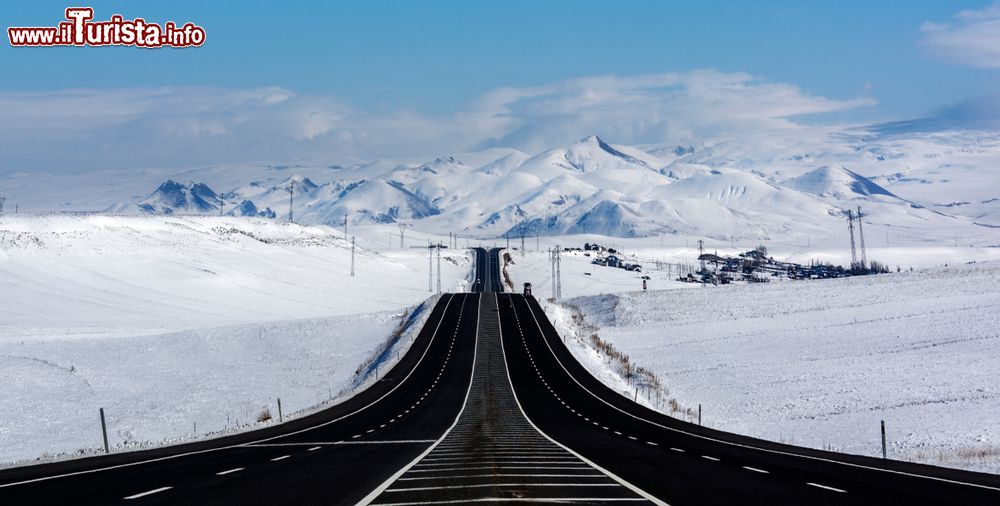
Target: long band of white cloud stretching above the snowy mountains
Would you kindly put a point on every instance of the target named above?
(88, 129)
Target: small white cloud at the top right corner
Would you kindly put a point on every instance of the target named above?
(972, 38)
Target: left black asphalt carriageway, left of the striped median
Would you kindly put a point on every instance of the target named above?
(336, 456)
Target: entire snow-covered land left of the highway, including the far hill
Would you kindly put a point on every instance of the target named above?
(185, 326)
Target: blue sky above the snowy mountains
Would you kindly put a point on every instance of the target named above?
(440, 60)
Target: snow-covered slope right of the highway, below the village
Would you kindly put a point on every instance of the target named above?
(811, 363)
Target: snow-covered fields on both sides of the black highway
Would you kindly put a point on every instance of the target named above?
(186, 326)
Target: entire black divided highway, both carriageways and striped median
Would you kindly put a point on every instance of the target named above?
(489, 406)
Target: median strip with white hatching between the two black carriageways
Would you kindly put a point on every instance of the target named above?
(493, 453)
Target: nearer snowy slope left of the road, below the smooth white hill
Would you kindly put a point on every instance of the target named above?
(171, 387)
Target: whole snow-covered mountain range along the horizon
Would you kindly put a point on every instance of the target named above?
(928, 184)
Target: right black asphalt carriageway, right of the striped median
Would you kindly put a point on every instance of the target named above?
(682, 463)
